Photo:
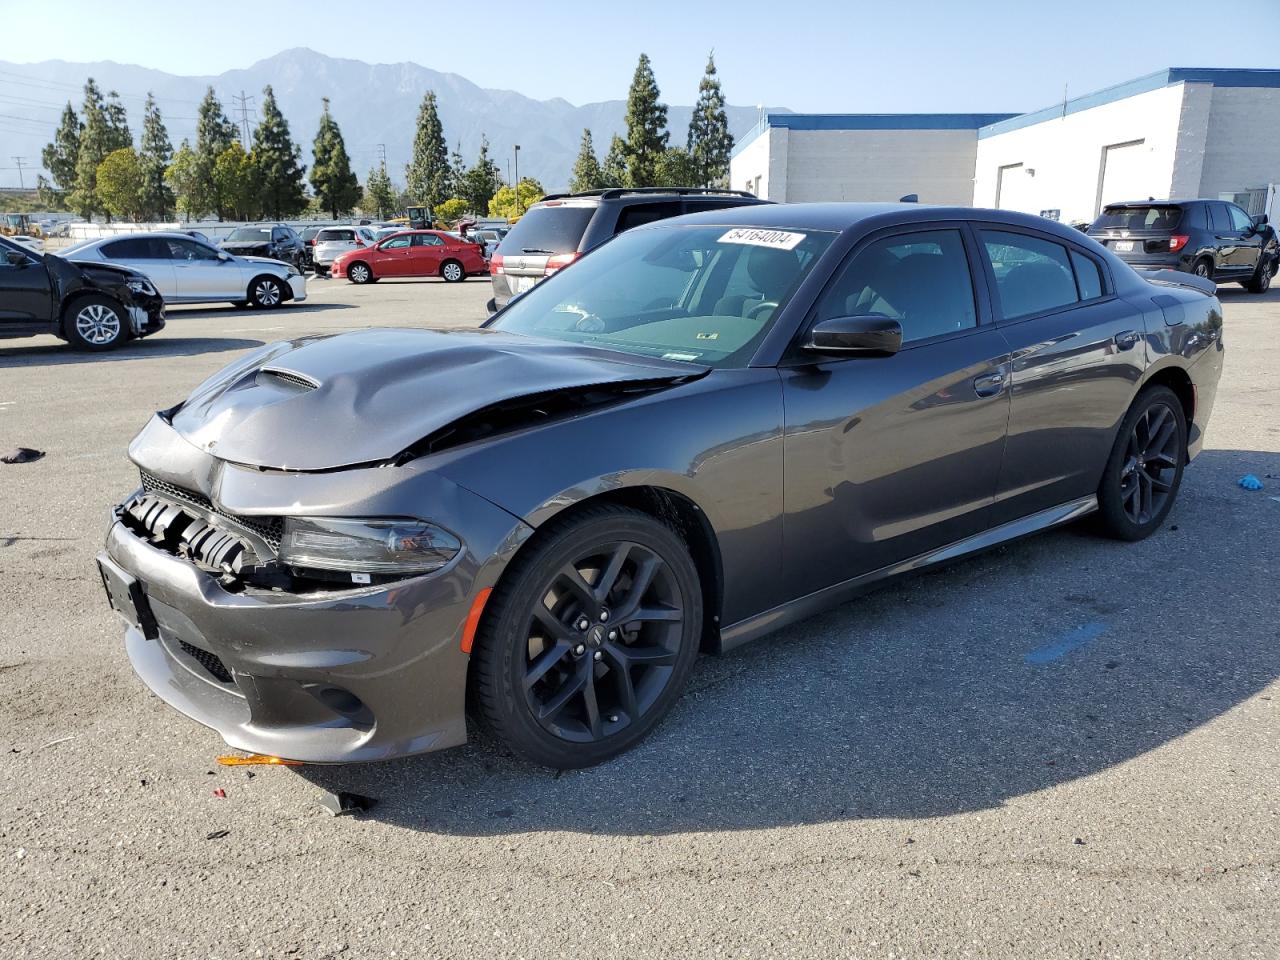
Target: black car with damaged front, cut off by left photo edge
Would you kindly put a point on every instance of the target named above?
(93, 307)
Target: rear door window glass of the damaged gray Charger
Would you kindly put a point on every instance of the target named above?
(1032, 276)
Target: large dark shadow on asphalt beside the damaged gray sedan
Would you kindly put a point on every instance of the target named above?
(1031, 666)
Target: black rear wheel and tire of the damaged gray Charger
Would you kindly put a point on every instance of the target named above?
(1145, 470)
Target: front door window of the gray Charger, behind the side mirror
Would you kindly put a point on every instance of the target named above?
(920, 280)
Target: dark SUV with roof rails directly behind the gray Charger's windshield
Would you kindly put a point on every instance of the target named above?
(559, 230)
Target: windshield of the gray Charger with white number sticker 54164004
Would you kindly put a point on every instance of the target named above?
(702, 295)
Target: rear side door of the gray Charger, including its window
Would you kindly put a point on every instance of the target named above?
(1077, 356)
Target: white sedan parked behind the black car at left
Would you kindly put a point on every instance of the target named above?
(188, 271)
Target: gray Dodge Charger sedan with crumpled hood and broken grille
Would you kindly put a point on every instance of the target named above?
(705, 431)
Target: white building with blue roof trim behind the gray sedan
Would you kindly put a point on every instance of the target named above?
(1176, 134)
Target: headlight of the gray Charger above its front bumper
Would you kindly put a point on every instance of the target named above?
(367, 546)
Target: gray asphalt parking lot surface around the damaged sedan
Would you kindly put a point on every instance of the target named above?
(1068, 747)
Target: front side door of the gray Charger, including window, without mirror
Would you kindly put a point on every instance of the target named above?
(892, 458)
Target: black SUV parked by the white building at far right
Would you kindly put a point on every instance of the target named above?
(1210, 239)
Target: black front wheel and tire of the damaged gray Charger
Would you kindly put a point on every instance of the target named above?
(587, 642)
